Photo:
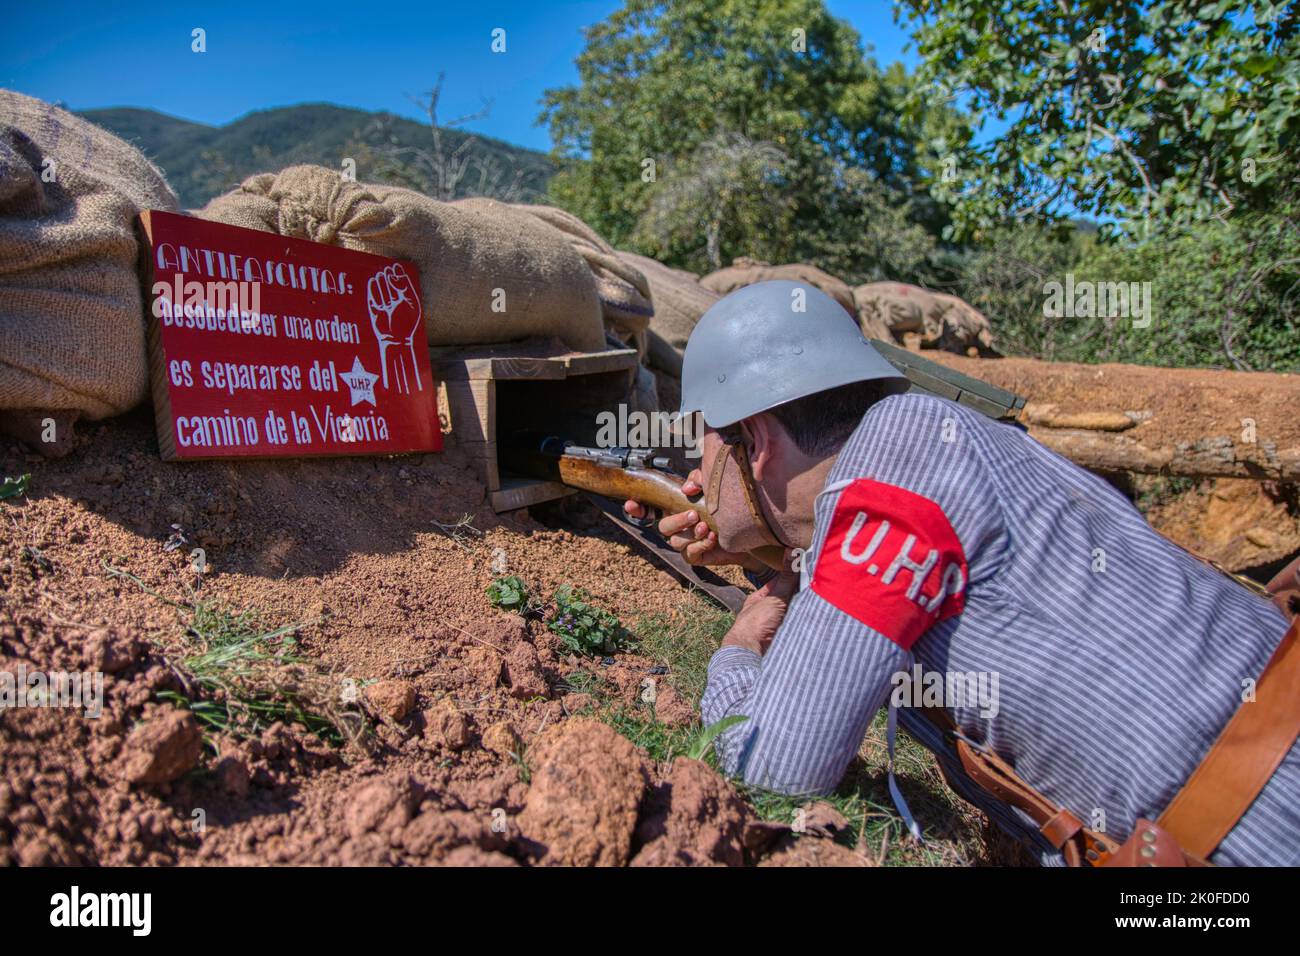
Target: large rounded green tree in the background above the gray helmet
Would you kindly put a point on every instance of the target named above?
(772, 136)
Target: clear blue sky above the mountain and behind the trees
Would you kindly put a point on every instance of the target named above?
(369, 55)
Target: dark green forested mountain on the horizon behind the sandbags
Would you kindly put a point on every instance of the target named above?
(202, 162)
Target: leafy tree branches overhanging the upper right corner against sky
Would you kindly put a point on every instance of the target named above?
(1150, 115)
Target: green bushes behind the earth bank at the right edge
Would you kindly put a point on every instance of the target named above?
(1227, 296)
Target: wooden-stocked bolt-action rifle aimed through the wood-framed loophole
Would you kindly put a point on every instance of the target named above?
(618, 473)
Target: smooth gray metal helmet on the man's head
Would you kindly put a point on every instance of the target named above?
(756, 349)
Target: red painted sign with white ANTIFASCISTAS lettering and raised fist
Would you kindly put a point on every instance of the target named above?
(268, 347)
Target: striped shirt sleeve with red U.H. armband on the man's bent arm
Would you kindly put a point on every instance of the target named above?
(833, 663)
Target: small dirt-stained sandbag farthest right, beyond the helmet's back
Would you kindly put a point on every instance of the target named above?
(924, 319)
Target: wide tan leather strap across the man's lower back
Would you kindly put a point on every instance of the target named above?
(1243, 758)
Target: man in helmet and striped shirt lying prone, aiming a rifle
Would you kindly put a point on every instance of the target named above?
(926, 534)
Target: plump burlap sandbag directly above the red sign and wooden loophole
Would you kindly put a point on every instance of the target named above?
(473, 253)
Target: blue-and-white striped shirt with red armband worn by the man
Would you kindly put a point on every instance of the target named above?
(1116, 656)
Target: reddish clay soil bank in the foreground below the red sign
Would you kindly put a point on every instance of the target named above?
(371, 552)
